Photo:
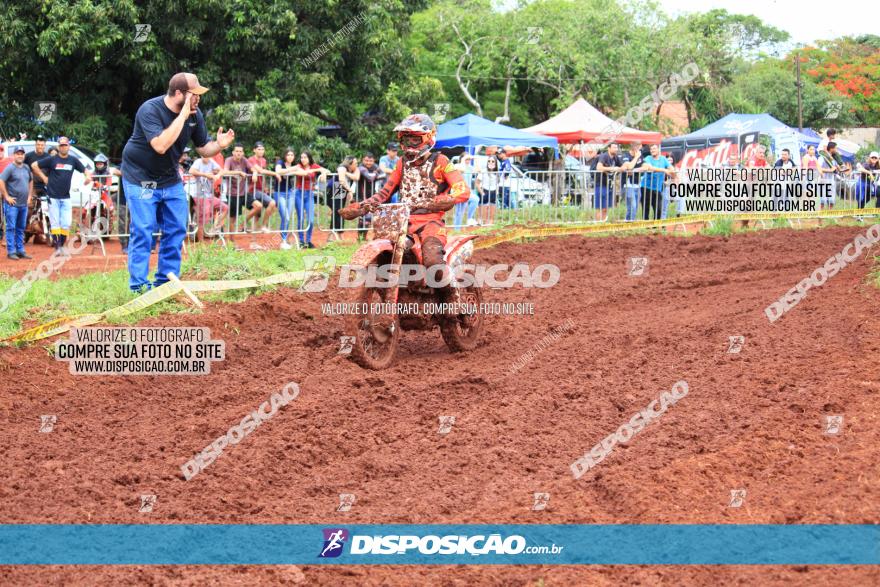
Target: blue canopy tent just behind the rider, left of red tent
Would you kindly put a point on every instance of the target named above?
(470, 131)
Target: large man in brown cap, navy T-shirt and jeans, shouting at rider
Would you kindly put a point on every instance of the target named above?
(163, 126)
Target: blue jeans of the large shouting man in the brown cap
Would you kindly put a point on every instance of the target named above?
(144, 205)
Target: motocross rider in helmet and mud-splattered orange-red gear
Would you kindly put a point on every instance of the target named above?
(427, 182)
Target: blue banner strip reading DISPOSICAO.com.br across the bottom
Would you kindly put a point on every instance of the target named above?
(477, 544)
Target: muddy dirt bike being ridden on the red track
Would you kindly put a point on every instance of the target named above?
(376, 333)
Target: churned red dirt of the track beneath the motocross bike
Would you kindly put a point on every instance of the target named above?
(751, 420)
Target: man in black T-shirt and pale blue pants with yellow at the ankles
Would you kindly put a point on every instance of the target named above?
(57, 172)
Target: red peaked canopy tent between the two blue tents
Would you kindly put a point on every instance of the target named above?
(582, 122)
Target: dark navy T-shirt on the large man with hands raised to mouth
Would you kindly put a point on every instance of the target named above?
(140, 162)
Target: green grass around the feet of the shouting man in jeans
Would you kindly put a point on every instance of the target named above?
(93, 293)
